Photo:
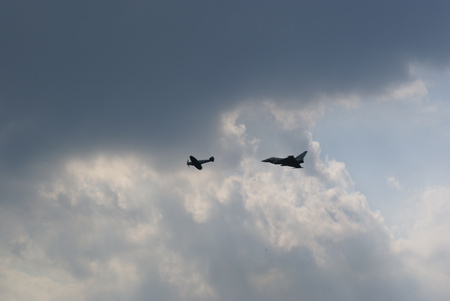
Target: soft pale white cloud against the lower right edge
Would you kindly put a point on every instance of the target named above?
(426, 248)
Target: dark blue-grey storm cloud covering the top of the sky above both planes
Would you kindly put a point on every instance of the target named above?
(94, 75)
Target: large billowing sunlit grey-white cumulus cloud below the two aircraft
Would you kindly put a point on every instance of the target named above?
(114, 227)
